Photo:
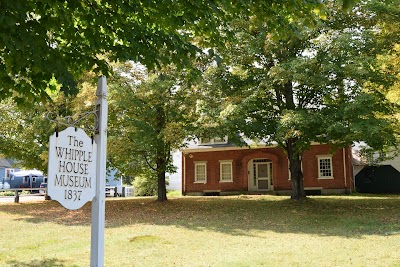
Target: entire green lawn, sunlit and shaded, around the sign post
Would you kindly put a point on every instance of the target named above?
(358, 230)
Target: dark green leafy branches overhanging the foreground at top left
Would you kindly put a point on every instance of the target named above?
(43, 41)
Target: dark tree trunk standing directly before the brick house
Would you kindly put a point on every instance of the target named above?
(296, 175)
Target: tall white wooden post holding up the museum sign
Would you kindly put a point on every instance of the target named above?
(98, 203)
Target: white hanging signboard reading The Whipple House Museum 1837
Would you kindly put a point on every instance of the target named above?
(72, 168)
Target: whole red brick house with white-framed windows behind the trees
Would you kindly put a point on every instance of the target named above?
(220, 168)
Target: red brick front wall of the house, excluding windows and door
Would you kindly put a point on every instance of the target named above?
(241, 157)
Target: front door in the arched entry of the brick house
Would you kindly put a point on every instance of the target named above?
(261, 175)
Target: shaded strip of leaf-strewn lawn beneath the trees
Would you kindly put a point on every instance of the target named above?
(346, 216)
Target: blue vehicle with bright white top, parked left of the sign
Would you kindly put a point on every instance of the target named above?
(26, 179)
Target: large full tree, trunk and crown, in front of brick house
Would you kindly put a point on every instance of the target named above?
(320, 82)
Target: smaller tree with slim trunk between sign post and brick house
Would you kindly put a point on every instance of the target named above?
(150, 115)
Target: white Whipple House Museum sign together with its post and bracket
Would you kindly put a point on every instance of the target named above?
(77, 169)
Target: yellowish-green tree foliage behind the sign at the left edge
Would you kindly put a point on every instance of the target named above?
(27, 128)
